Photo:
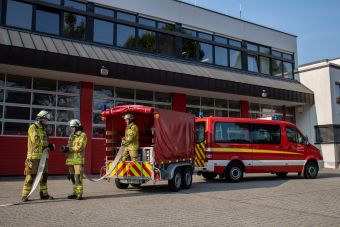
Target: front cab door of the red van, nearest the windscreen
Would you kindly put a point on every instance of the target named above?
(296, 149)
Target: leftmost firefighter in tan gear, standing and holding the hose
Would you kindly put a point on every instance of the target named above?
(36, 143)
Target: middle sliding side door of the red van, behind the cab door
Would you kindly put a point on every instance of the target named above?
(268, 153)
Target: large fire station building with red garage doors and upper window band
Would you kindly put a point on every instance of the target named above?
(73, 57)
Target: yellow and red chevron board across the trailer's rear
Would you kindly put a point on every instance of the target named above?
(132, 169)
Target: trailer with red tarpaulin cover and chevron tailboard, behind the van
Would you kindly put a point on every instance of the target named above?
(166, 140)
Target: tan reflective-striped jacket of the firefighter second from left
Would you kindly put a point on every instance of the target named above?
(77, 144)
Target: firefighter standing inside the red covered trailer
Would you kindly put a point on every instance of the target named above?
(130, 140)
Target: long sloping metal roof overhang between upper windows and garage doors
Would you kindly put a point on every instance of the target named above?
(38, 51)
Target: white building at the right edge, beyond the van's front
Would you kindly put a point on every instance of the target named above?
(321, 121)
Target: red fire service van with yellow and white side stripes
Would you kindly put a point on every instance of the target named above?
(231, 146)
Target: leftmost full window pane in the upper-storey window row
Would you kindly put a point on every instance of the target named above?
(19, 14)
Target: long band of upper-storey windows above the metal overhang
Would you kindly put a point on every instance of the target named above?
(80, 20)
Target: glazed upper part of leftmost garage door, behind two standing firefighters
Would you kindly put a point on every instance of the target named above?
(22, 97)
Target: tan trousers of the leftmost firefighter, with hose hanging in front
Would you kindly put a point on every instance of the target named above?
(31, 169)
